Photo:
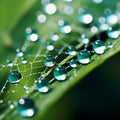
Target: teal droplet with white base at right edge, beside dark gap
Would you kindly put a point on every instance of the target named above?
(113, 33)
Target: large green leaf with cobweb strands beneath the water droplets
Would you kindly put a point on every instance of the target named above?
(13, 24)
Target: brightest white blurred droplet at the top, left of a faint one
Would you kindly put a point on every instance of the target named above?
(50, 8)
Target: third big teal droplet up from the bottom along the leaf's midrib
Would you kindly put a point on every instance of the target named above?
(60, 73)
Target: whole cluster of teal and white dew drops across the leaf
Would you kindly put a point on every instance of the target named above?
(25, 106)
